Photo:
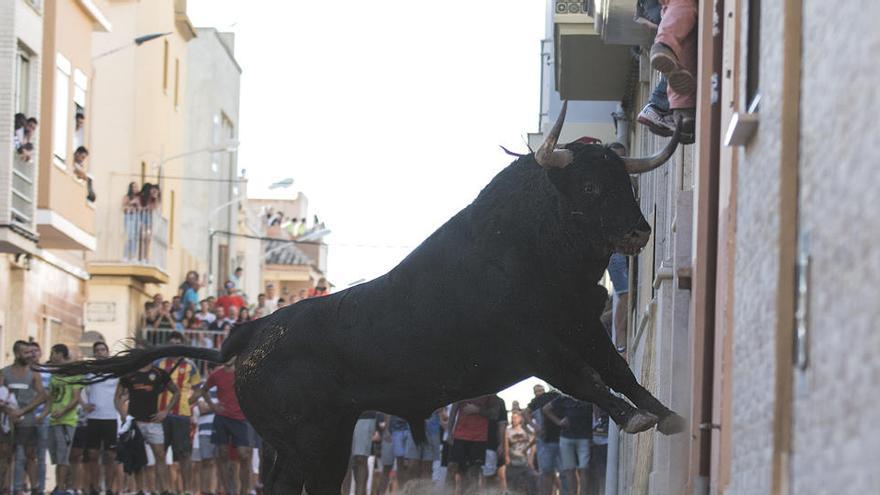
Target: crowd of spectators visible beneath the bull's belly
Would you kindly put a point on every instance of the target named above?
(555, 445)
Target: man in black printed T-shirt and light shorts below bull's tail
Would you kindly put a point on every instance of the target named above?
(144, 387)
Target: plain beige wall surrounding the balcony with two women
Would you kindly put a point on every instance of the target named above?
(141, 126)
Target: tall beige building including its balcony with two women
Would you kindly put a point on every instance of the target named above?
(140, 140)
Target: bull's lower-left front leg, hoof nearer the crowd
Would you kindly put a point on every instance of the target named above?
(566, 372)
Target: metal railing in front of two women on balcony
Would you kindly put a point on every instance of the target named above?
(145, 234)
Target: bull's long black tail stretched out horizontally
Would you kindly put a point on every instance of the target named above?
(132, 359)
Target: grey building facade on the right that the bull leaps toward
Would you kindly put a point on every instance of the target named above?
(741, 316)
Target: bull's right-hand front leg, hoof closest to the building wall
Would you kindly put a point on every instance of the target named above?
(617, 374)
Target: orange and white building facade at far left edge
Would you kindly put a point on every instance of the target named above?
(48, 218)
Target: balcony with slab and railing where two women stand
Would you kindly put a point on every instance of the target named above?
(137, 248)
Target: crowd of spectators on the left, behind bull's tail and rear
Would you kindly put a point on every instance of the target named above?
(174, 426)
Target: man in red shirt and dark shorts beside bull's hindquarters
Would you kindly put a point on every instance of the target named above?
(230, 425)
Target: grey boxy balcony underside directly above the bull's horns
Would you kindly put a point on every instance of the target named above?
(586, 67)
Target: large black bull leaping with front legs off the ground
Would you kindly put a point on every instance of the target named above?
(505, 290)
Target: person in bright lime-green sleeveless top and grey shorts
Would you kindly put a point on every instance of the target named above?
(64, 396)
